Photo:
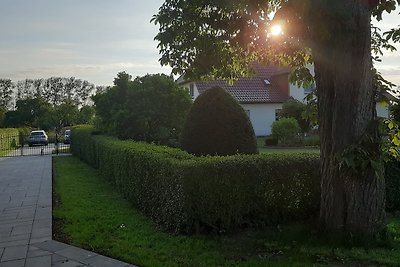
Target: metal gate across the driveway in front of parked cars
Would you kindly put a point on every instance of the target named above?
(19, 145)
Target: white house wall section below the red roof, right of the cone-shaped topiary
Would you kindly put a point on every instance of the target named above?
(262, 116)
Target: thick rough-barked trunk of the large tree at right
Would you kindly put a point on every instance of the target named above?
(352, 202)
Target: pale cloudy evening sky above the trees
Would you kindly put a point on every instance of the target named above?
(95, 39)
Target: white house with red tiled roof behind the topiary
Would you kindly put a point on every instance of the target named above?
(261, 96)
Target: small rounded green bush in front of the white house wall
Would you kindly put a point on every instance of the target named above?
(286, 130)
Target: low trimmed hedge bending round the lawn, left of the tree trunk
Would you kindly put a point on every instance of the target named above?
(190, 194)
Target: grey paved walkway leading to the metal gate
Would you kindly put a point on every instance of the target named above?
(26, 219)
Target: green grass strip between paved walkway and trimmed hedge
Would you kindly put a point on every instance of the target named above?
(88, 213)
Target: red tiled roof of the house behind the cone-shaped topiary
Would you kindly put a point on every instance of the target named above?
(254, 89)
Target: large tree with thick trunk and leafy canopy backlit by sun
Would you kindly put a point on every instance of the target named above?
(219, 39)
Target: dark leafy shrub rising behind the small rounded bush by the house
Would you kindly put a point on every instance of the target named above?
(295, 109)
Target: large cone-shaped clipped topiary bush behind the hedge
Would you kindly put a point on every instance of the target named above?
(218, 125)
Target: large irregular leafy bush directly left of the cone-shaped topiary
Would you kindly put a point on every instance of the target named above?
(151, 108)
